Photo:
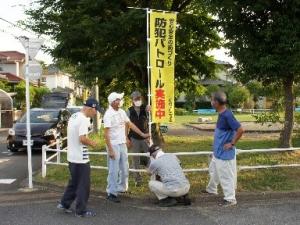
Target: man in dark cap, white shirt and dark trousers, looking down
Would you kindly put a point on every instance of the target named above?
(78, 158)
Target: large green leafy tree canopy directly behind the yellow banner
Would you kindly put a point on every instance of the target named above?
(105, 39)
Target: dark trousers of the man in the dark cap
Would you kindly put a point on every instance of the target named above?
(78, 187)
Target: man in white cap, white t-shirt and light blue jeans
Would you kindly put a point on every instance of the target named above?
(116, 124)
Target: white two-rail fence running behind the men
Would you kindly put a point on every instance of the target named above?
(57, 155)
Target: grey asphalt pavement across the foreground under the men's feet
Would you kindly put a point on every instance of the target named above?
(42, 211)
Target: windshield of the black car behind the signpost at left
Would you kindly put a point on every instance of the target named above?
(41, 117)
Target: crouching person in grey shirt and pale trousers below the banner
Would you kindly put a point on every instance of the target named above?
(170, 184)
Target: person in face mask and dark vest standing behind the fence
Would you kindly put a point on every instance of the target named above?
(138, 114)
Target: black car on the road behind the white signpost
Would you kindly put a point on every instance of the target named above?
(46, 125)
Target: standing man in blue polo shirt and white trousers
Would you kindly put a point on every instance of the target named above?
(222, 169)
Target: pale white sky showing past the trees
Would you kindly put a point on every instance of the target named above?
(13, 11)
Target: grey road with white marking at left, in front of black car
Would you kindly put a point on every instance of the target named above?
(14, 166)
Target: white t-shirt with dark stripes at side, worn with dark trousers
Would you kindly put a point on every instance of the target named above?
(78, 125)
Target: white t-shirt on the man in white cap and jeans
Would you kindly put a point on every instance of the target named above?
(116, 122)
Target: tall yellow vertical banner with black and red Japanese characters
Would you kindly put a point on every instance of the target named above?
(162, 59)
